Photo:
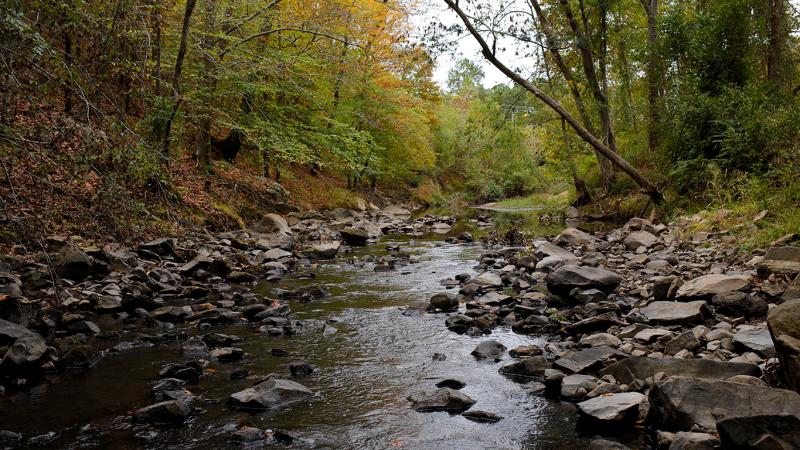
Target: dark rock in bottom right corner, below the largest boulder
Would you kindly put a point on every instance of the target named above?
(760, 432)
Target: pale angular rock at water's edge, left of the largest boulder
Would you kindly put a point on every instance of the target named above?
(616, 409)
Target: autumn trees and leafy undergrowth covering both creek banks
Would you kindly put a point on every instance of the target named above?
(132, 117)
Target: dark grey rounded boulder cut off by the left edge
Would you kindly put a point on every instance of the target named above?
(26, 349)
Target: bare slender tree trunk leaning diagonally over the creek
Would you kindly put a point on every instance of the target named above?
(617, 160)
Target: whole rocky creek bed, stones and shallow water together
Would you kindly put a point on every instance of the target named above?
(375, 330)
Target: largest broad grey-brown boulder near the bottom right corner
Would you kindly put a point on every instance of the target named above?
(679, 403)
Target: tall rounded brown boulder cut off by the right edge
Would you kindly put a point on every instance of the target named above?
(784, 326)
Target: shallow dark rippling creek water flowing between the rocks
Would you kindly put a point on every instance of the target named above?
(380, 353)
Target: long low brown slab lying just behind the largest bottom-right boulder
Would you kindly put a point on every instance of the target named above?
(639, 368)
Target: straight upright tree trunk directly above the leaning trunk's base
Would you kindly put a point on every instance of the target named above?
(654, 75)
